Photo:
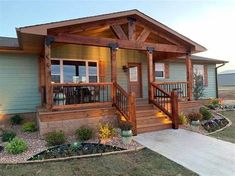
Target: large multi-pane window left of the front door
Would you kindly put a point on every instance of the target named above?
(69, 71)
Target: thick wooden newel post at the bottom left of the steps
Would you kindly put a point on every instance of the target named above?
(132, 111)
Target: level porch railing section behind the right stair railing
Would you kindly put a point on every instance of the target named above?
(179, 87)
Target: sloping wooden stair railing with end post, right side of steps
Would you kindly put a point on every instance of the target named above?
(166, 102)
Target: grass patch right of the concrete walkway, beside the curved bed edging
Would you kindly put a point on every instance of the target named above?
(228, 134)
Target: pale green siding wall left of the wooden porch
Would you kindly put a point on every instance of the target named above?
(18, 83)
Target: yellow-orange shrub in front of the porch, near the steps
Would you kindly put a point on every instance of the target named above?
(106, 131)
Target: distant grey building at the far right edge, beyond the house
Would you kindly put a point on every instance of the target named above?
(226, 78)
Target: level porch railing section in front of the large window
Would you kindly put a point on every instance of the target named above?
(81, 93)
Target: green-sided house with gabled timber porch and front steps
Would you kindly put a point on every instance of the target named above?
(82, 71)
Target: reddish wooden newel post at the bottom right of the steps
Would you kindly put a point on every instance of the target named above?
(174, 110)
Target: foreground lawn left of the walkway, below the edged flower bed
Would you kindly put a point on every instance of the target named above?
(141, 163)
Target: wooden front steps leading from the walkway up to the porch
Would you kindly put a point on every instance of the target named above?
(149, 118)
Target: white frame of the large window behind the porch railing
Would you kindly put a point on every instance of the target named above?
(82, 60)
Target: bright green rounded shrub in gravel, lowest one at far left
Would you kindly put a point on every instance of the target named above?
(16, 146)
